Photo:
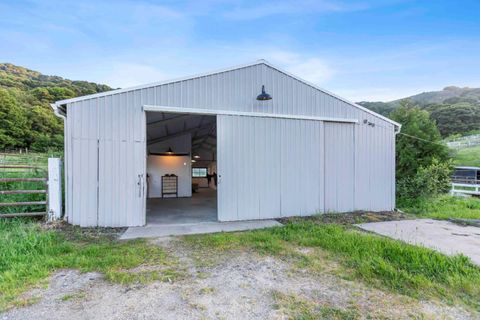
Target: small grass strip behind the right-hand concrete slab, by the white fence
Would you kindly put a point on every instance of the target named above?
(444, 207)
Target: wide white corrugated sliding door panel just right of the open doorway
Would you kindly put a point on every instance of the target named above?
(268, 167)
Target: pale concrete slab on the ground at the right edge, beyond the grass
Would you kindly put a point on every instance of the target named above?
(443, 236)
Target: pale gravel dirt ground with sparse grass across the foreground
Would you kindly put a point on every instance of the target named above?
(232, 285)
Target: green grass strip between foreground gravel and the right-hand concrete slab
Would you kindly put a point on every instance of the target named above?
(386, 263)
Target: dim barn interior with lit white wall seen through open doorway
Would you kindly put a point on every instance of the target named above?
(181, 168)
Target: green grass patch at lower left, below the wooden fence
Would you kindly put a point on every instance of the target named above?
(29, 254)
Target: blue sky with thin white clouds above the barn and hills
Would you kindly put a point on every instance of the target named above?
(362, 50)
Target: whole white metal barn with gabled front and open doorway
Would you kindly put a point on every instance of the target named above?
(304, 151)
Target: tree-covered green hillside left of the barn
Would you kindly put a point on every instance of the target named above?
(26, 119)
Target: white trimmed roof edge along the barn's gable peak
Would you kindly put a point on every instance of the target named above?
(57, 104)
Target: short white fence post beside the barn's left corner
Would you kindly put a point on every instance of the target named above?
(54, 189)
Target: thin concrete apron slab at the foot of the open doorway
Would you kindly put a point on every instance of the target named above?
(156, 231)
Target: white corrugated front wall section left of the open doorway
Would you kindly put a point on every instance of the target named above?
(106, 162)
